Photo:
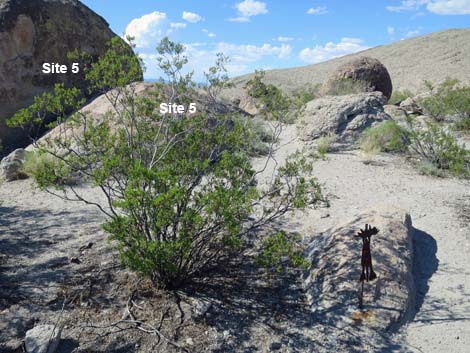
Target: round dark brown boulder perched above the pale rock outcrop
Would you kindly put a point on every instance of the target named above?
(367, 70)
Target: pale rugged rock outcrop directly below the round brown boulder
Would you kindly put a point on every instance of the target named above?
(345, 116)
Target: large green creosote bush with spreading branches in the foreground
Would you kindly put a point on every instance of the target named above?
(180, 191)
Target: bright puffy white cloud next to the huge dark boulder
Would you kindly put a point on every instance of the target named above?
(146, 29)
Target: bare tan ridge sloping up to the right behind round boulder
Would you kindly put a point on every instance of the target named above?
(430, 57)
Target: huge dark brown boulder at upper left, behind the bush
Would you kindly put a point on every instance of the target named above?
(36, 32)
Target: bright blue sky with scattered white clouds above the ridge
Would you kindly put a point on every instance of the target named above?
(270, 34)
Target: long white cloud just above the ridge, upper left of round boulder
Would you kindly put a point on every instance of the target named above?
(332, 50)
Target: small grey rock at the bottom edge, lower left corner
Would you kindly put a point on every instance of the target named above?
(42, 339)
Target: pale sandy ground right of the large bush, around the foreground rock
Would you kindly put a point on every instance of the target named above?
(442, 237)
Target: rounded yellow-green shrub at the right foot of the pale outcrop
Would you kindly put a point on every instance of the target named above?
(385, 137)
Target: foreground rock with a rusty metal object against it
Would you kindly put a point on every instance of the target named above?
(332, 283)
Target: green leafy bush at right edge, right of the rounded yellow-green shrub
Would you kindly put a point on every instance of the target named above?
(439, 148)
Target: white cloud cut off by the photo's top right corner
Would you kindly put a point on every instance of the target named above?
(439, 7)
